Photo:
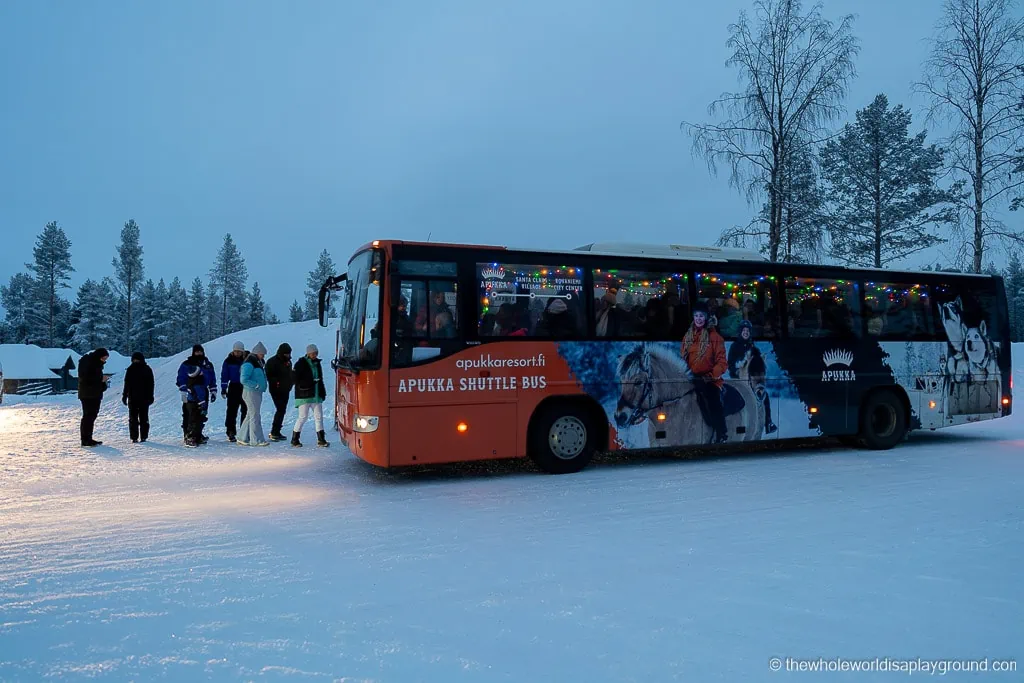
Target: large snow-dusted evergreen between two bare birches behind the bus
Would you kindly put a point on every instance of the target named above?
(881, 183)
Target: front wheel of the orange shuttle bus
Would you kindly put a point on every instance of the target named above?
(563, 439)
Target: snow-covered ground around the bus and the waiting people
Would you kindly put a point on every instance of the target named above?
(153, 563)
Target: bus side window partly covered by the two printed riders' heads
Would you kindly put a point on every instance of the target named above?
(734, 300)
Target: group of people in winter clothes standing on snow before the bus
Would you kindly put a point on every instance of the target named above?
(245, 377)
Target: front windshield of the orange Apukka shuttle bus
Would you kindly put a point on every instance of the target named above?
(361, 324)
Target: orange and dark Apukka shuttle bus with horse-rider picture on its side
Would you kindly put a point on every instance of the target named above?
(460, 353)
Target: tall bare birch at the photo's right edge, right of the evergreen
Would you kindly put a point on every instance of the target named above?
(973, 78)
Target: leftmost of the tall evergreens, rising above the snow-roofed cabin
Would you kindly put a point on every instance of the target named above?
(50, 317)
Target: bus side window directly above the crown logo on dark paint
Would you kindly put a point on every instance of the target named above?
(823, 309)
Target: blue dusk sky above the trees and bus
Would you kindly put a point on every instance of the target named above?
(298, 126)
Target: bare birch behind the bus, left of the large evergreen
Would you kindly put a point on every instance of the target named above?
(794, 69)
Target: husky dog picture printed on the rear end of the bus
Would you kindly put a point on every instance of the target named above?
(971, 379)
